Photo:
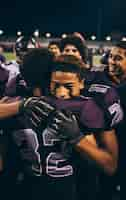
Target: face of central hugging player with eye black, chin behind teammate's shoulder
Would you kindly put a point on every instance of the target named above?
(65, 85)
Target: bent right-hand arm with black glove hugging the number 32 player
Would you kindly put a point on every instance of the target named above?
(65, 126)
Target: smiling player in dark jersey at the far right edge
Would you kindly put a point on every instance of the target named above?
(117, 74)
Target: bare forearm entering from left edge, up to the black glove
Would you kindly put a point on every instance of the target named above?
(8, 110)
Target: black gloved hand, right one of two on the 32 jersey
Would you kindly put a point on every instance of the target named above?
(65, 126)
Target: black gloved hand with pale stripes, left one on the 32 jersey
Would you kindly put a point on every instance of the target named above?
(36, 110)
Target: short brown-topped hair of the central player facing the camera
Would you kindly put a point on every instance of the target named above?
(69, 63)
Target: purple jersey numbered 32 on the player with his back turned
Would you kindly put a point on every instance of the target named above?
(43, 152)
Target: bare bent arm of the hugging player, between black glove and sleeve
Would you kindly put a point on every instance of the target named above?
(106, 156)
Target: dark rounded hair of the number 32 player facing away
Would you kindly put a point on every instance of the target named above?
(36, 67)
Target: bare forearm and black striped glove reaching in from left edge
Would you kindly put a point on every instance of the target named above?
(35, 109)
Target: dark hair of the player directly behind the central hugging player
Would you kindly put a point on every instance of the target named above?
(78, 43)
